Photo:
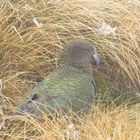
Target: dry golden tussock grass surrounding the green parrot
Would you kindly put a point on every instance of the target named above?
(28, 53)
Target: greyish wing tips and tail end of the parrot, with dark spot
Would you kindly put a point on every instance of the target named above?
(34, 102)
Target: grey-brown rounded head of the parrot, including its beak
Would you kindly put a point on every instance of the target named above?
(80, 53)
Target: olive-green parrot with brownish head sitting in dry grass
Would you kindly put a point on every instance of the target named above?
(70, 86)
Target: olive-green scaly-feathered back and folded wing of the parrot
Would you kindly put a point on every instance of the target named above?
(58, 87)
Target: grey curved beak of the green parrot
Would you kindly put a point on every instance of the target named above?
(95, 58)
